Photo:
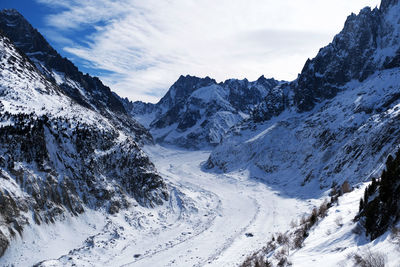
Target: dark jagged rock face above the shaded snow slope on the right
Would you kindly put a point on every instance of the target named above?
(369, 42)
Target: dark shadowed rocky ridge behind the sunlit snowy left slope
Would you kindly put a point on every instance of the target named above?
(86, 90)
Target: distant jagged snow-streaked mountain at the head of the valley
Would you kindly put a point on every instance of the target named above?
(197, 112)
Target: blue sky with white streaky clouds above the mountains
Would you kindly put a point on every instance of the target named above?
(140, 47)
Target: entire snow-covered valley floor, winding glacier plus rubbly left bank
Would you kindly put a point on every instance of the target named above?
(210, 219)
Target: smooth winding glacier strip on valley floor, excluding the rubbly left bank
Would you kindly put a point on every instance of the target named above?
(246, 206)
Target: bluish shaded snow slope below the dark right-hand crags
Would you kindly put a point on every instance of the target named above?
(340, 139)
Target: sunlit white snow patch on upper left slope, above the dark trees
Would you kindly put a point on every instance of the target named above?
(24, 90)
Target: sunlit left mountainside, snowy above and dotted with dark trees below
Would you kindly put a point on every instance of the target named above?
(59, 156)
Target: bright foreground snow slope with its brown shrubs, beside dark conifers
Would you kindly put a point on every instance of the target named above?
(334, 240)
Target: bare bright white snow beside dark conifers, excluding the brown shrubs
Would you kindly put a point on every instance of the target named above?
(333, 241)
